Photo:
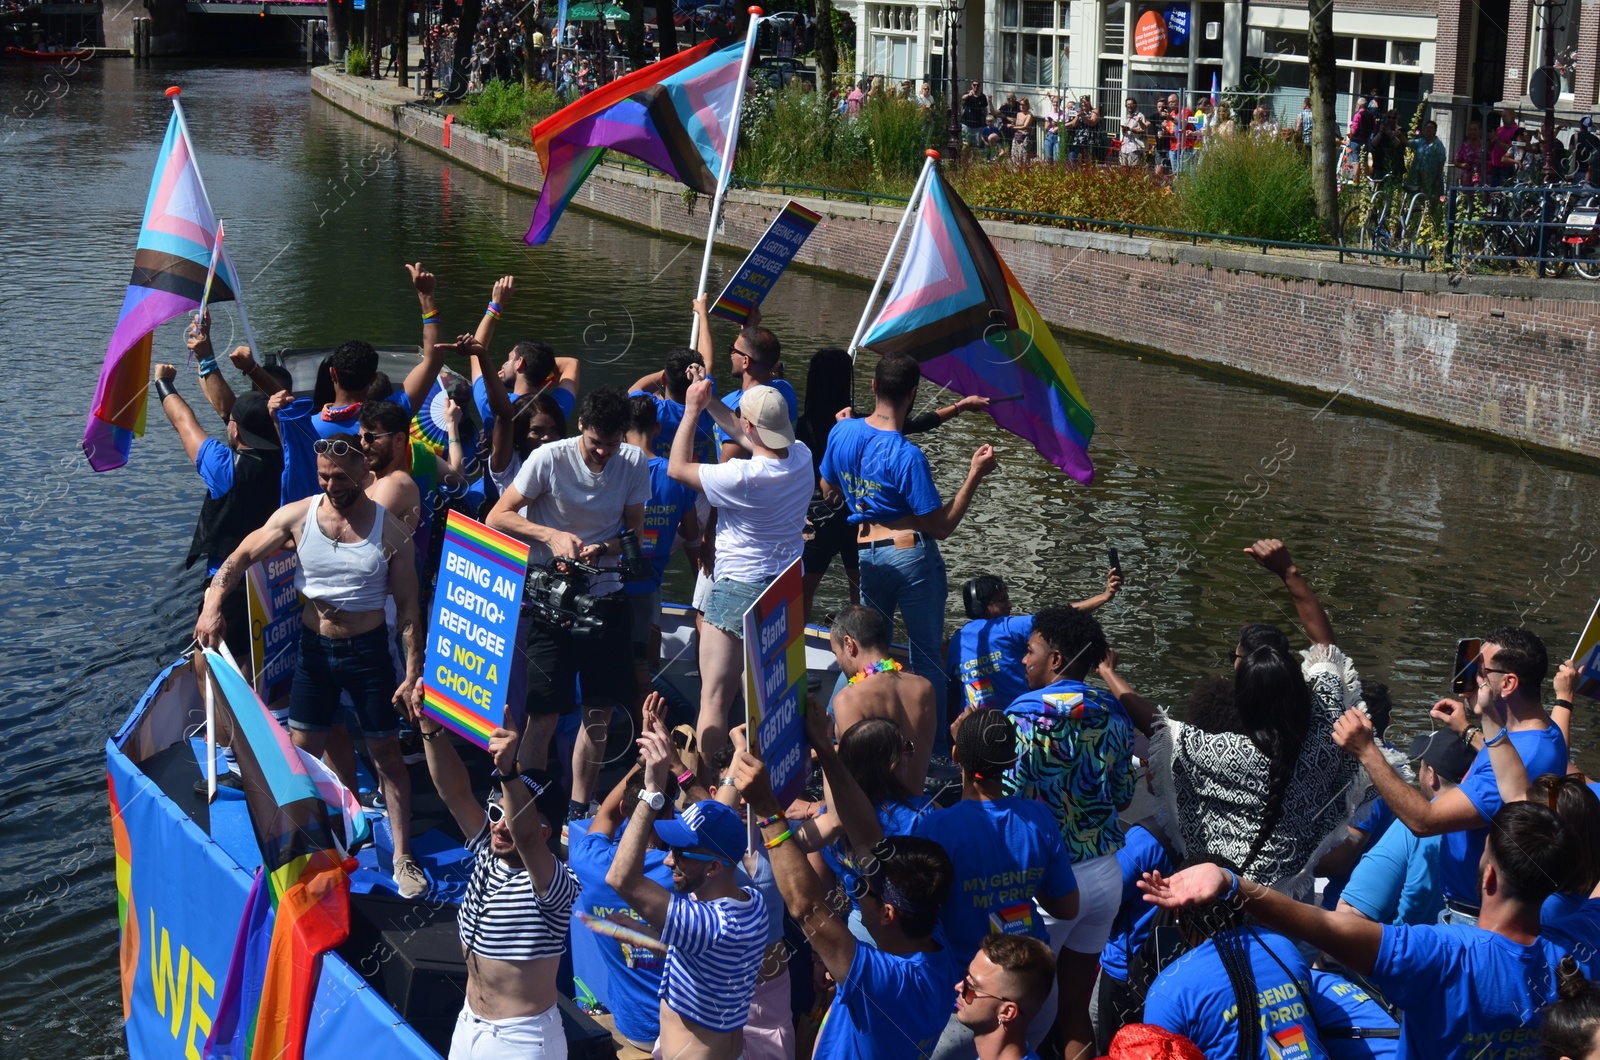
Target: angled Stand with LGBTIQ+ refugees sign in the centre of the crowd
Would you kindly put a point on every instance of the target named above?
(775, 683)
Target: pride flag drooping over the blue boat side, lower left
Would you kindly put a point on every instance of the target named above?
(300, 904)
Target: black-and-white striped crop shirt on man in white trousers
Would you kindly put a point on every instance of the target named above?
(505, 918)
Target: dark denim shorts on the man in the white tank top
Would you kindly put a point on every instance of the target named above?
(361, 667)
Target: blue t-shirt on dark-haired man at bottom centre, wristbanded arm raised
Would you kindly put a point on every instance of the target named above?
(890, 1008)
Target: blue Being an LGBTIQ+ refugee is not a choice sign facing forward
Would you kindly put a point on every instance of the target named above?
(473, 630)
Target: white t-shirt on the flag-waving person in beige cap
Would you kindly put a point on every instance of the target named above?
(761, 513)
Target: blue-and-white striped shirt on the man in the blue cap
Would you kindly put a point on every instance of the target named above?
(714, 954)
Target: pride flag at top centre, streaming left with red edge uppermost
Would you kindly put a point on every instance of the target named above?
(673, 114)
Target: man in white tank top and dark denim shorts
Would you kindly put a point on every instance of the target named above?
(353, 556)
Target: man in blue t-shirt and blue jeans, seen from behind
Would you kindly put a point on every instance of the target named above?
(900, 518)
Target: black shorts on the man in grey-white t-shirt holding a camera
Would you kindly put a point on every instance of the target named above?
(558, 662)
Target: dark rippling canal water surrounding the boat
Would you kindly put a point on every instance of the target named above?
(1412, 537)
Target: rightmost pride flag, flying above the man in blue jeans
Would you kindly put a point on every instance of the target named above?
(959, 311)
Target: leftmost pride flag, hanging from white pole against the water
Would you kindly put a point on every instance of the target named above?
(169, 279)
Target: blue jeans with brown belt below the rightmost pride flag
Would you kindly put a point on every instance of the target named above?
(913, 580)
